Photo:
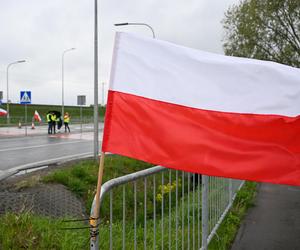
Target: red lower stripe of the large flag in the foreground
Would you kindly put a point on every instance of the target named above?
(243, 146)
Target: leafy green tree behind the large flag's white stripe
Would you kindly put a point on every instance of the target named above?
(264, 29)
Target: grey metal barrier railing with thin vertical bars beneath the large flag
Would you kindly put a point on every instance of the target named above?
(161, 208)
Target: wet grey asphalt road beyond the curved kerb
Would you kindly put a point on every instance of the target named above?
(17, 152)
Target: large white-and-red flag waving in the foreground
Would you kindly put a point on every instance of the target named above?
(204, 113)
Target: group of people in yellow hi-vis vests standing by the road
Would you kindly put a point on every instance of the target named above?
(53, 119)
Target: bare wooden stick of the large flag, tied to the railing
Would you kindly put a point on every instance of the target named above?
(96, 211)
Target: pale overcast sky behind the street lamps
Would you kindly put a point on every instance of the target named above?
(39, 31)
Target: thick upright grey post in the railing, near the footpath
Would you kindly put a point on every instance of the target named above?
(204, 211)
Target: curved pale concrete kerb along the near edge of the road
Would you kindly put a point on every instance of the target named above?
(6, 174)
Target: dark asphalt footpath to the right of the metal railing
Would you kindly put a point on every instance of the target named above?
(274, 222)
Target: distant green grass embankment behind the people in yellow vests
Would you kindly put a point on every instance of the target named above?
(17, 112)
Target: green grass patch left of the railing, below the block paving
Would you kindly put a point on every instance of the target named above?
(27, 231)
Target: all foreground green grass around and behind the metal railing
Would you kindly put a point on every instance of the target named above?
(35, 232)
